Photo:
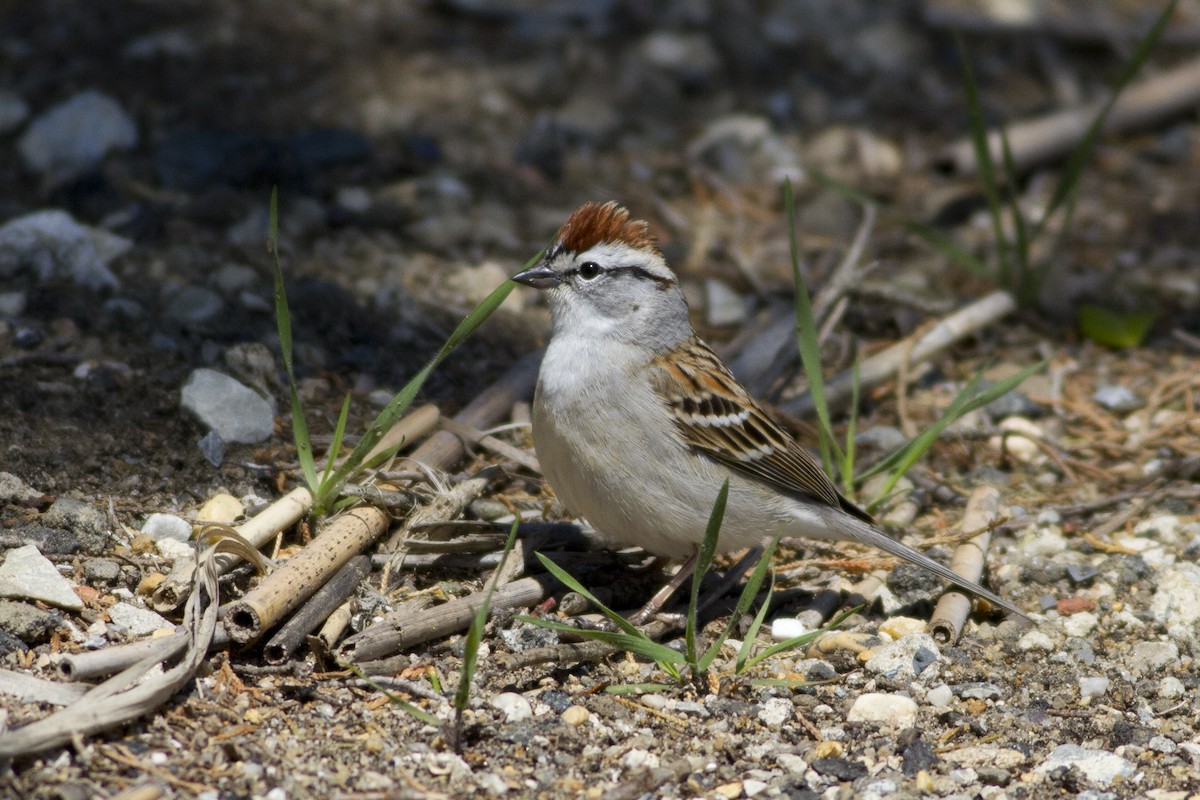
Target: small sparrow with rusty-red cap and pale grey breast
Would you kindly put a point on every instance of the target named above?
(638, 424)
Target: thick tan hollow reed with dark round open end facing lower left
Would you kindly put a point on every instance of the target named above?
(266, 605)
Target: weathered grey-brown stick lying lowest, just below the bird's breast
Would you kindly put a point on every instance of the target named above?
(398, 631)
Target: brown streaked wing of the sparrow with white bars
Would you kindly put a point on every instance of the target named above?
(717, 416)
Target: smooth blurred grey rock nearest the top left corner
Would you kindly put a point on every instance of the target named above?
(76, 135)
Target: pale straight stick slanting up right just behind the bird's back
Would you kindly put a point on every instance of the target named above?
(915, 350)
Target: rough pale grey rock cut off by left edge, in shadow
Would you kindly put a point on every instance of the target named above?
(53, 245)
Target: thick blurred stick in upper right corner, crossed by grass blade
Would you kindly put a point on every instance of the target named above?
(1046, 139)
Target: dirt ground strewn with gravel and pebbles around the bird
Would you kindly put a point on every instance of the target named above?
(423, 153)
